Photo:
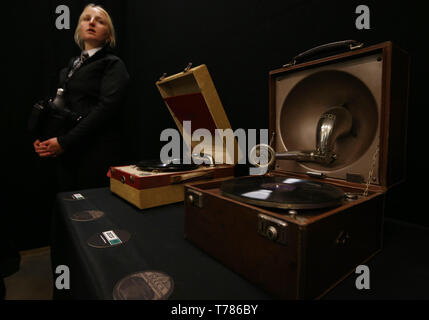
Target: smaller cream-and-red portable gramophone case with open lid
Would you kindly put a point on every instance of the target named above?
(189, 96)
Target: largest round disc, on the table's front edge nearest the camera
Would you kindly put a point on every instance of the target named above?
(145, 285)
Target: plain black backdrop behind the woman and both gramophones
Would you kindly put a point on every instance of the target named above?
(240, 41)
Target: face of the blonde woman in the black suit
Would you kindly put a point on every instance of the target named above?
(94, 30)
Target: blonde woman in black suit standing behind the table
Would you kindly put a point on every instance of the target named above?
(94, 87)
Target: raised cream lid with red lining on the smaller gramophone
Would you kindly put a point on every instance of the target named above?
(192, 96)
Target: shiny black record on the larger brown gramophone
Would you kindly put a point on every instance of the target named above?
(283, 192)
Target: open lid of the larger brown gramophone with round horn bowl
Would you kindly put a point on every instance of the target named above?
(372, 84)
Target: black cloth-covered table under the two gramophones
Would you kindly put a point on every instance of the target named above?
(156, 243)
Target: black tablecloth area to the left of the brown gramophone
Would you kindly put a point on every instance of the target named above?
(157, 243)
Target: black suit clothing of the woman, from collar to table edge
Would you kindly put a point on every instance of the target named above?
(96, 90)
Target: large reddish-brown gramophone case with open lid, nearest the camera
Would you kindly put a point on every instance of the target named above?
(302, 254)
